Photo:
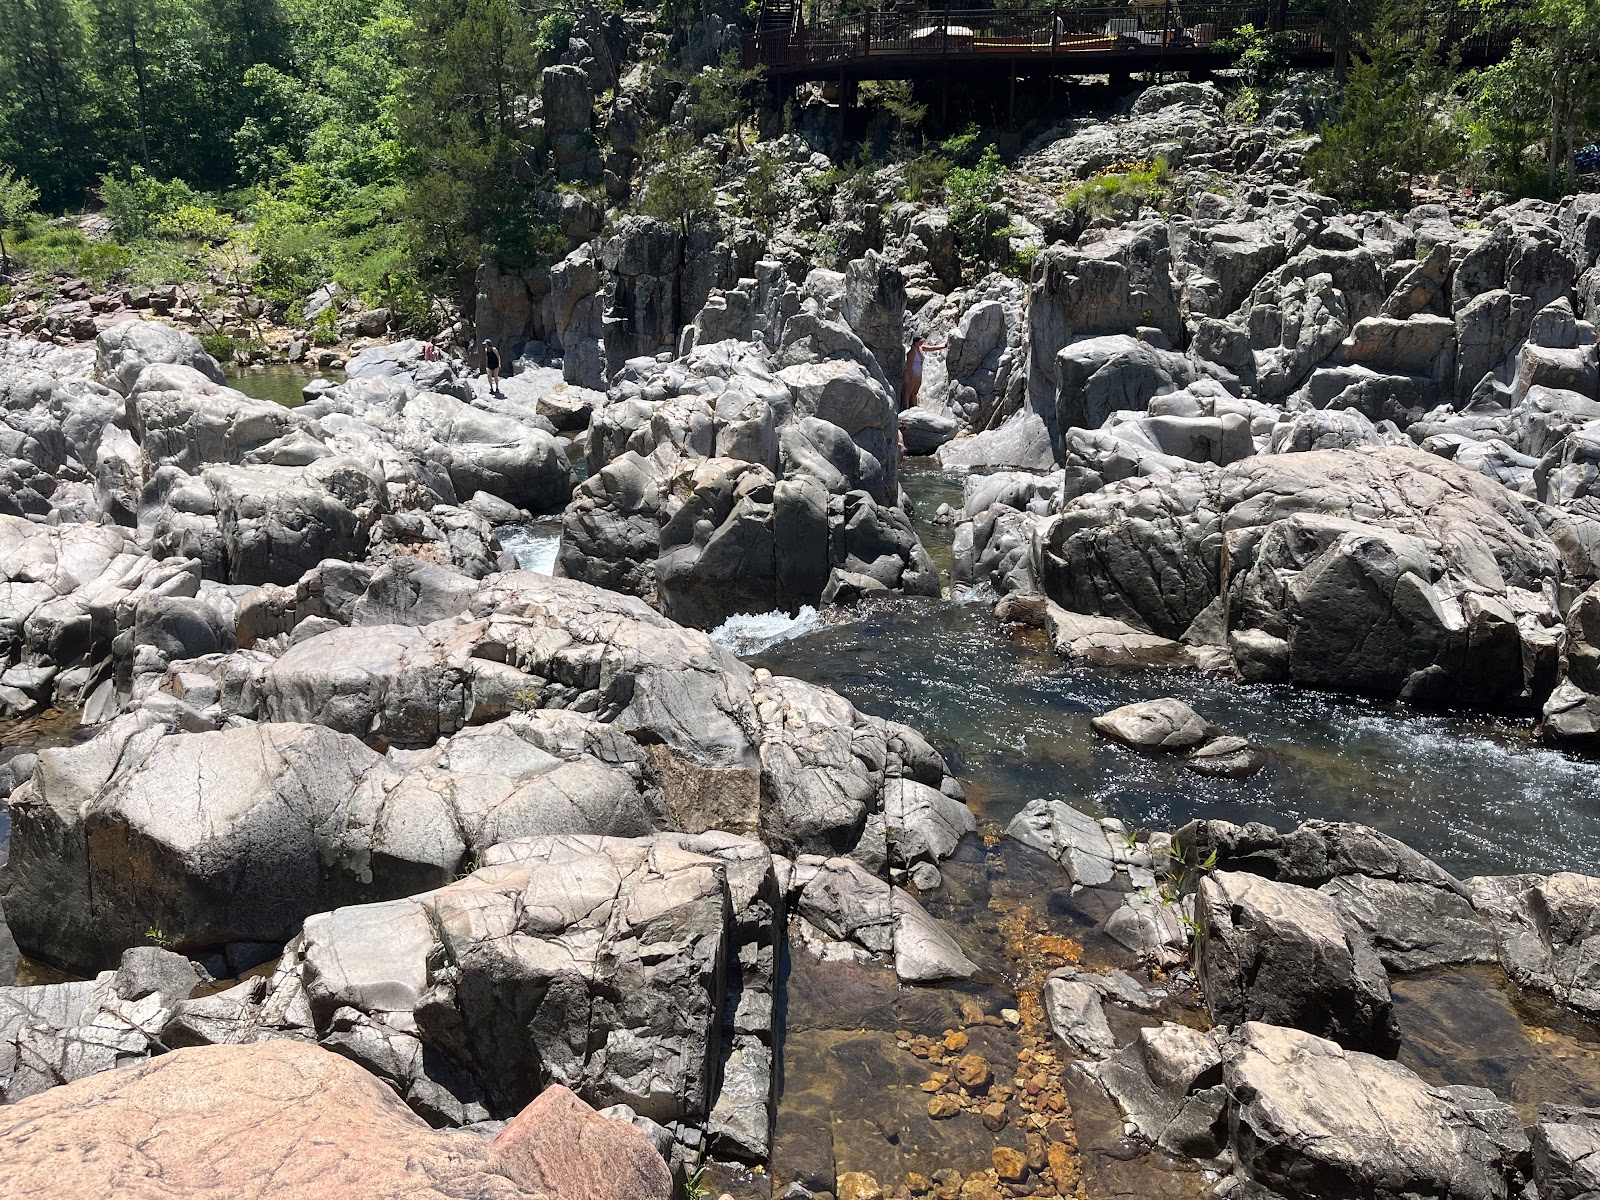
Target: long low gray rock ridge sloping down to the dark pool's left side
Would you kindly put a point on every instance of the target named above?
(730, 748)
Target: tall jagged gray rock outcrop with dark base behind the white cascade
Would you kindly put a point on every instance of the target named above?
(726, 482)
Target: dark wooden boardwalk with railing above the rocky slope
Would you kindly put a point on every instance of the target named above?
(913, 42)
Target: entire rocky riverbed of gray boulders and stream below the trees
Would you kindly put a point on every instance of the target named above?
(1164, 778)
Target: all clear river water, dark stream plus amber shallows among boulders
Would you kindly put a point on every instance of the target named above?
(1474, 793)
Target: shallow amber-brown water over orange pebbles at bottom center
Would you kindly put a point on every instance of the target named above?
(855, 1092)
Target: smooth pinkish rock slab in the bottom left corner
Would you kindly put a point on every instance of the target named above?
(289, 1121)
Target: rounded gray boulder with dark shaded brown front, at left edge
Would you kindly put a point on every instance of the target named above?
(207, 839)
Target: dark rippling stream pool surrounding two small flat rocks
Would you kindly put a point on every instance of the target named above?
(1015, 722)
